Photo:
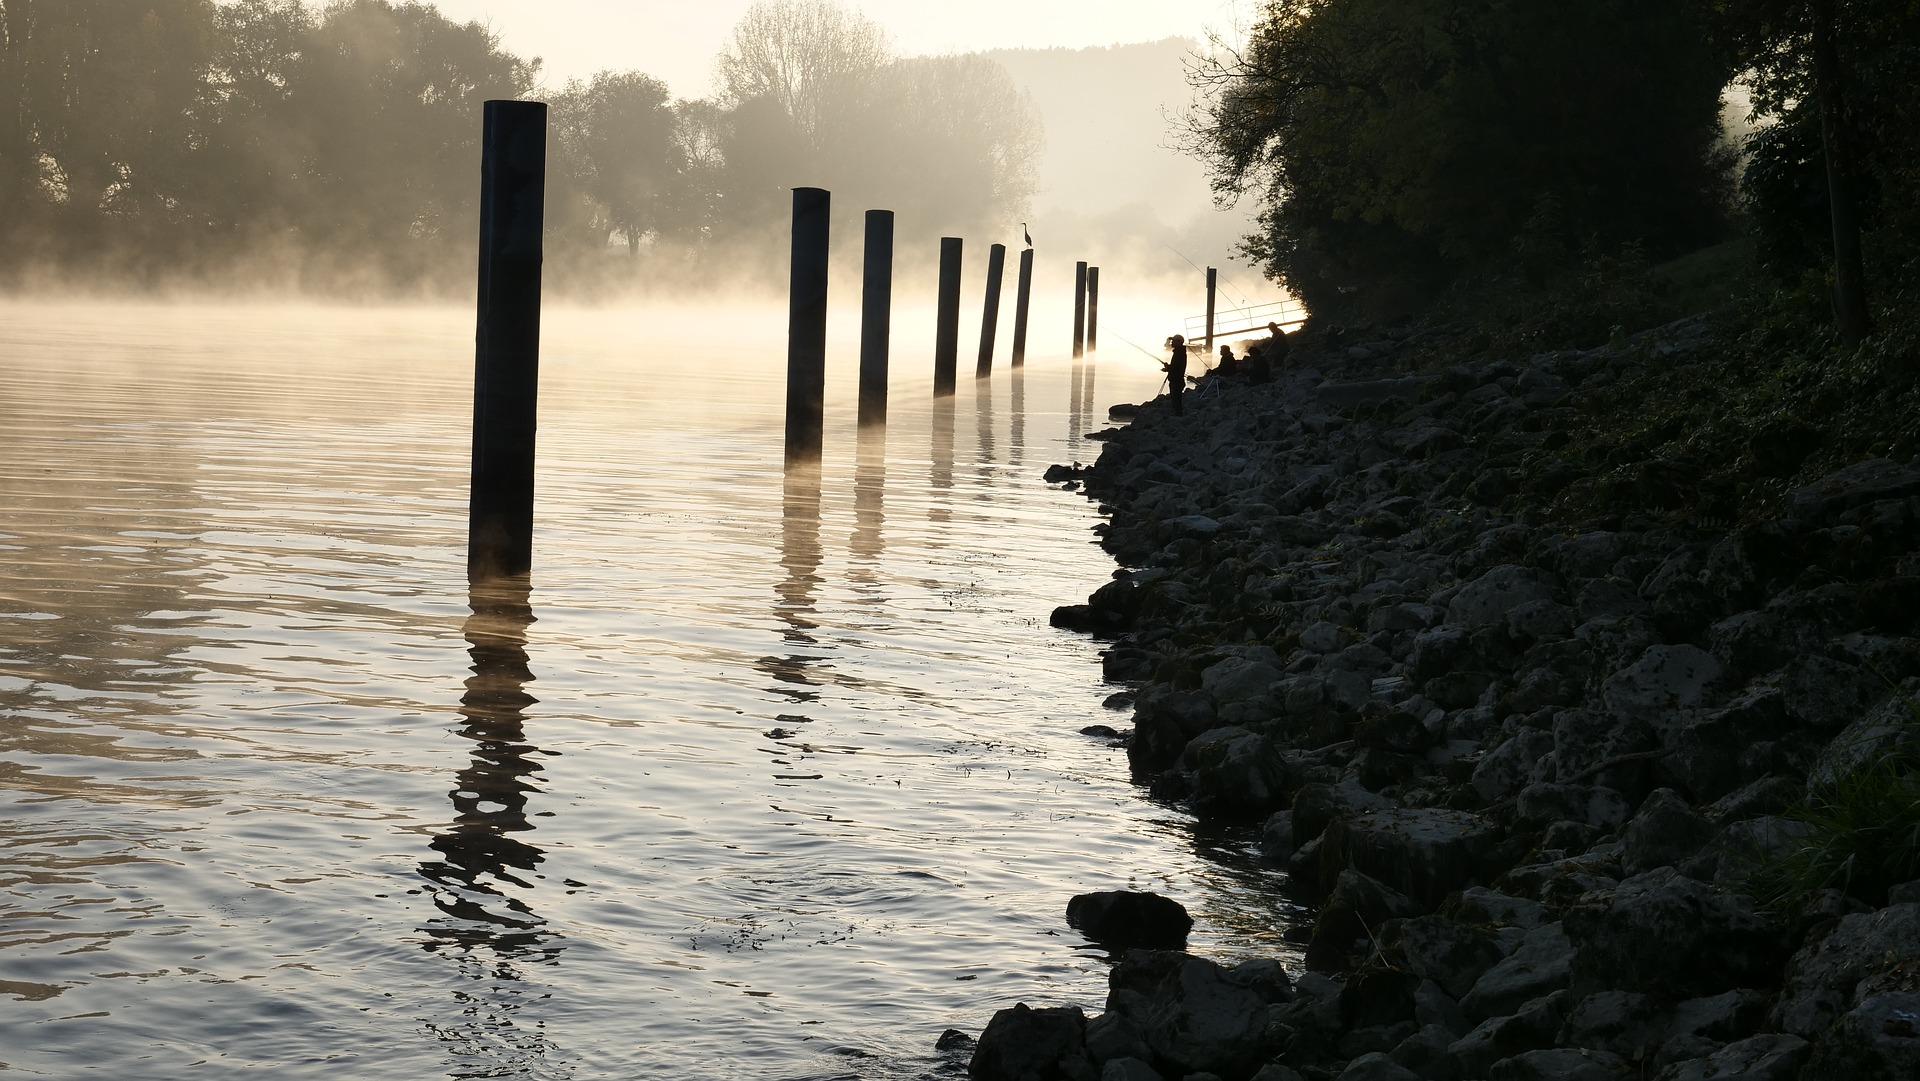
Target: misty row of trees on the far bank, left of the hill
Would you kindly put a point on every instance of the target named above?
(337, 145)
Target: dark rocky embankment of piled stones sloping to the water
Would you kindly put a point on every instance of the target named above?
(1525, 771)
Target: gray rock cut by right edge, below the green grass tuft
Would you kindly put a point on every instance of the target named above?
(1831, 973)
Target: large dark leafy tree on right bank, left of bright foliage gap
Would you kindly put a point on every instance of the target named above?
(1404, 147)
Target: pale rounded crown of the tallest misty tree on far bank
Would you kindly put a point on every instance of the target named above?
(796, 53)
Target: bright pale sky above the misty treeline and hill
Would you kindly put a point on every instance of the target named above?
(677, 39)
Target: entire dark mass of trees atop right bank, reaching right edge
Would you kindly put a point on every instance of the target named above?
(1414, 151)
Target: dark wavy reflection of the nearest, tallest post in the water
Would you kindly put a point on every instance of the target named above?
(485, 865)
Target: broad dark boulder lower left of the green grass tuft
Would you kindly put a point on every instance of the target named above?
(1654, 928)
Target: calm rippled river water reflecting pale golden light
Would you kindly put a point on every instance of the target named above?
(761, 779)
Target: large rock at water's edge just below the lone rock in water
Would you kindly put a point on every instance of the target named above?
(1191, 1013)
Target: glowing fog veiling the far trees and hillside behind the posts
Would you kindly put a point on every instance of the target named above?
(277, 149)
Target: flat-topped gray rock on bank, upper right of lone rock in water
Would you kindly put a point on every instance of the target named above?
(1424, 853)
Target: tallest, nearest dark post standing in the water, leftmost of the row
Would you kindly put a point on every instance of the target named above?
(514, 189)
